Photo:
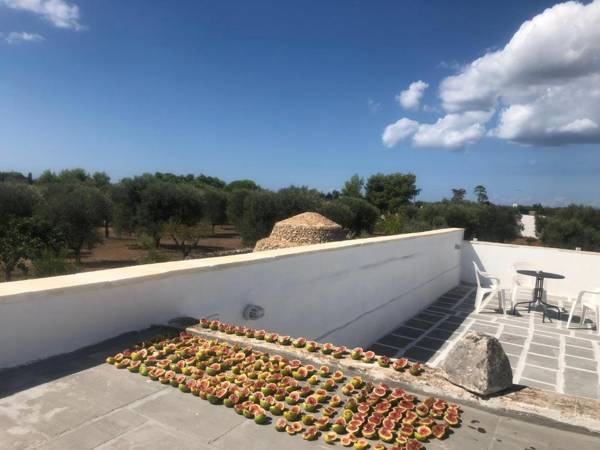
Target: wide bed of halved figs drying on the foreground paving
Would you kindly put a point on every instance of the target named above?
(300, 399)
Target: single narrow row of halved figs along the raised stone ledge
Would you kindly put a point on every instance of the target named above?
(339, 352)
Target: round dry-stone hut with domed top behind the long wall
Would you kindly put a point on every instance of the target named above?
(303, 229)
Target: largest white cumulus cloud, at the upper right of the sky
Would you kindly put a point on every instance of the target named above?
(543, 86)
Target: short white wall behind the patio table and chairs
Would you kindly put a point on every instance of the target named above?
(581, 269)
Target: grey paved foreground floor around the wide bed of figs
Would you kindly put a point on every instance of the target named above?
(77, 402)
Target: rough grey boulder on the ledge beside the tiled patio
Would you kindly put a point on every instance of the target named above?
(478, 364)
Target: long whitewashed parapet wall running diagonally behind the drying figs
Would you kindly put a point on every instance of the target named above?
(350, 293)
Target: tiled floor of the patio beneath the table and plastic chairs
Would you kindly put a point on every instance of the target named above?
(544, 355)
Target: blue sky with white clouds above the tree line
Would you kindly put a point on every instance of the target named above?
(299, 93)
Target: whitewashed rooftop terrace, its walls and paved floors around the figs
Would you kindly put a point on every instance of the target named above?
(401, 295)
